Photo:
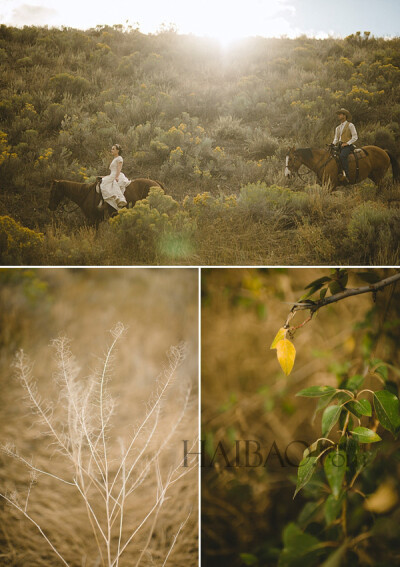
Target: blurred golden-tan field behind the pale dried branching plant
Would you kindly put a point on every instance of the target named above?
(159, 309)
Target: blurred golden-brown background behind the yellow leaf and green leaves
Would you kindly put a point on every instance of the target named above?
(246, 396)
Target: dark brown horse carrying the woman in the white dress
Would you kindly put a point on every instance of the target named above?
(89, 200)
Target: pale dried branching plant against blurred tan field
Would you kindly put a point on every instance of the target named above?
(83, 436)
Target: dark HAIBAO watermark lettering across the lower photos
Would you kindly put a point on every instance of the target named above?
(247, 453)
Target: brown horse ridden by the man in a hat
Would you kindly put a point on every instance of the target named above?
(372, 162)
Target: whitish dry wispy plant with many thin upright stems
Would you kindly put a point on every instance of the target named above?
(108, 471)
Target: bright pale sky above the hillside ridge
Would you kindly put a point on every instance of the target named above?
(225, 20)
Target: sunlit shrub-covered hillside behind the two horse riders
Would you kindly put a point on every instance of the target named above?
(201, 119)
